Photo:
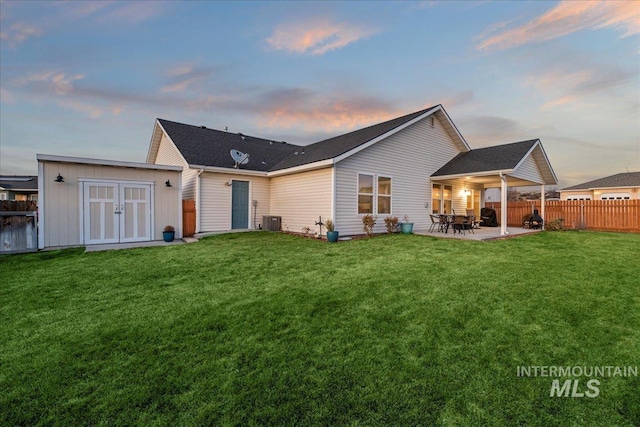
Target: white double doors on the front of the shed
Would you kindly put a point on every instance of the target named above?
(116, 212)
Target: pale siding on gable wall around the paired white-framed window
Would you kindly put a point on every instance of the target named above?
(409, 157)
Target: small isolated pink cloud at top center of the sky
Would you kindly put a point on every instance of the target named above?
(316, 38)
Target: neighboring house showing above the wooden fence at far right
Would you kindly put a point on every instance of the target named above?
(621, 186)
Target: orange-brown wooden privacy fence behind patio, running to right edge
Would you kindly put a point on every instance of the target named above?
(606, 215)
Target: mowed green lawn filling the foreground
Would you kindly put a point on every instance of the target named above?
(271, 329)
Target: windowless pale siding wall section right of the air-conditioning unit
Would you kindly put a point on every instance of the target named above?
(301, 198)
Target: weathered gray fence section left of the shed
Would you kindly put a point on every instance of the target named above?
(18, 227)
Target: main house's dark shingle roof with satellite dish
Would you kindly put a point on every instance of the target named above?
(209, 147)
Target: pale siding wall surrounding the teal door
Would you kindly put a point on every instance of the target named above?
(215, 200)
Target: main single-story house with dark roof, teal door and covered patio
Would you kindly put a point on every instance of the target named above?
(413, 165)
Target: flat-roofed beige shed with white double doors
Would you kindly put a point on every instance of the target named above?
(89, 201)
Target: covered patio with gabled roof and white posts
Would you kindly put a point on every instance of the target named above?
(511, 165)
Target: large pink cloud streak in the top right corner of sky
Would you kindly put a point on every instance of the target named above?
(568, 17)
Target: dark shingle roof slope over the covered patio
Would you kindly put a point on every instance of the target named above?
(499, 157)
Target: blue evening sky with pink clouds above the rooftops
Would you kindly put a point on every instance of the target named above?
(88, 79)
